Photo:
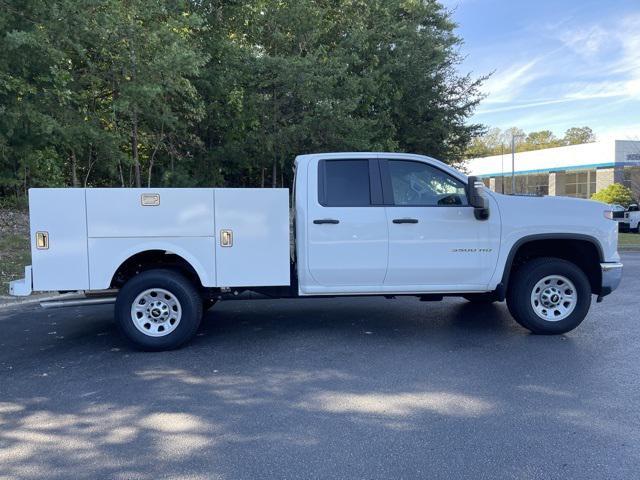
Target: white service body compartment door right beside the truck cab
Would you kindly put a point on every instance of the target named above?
(252, 236)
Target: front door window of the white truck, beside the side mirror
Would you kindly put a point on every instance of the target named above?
(419, 184)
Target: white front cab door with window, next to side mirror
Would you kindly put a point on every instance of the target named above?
(434, 239)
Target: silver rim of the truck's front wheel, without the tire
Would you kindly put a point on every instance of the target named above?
(554, 298)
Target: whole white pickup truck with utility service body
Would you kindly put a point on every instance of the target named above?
(383, 224)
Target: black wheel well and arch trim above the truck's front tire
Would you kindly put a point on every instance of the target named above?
(583, 253)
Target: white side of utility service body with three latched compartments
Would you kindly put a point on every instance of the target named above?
(93, 231)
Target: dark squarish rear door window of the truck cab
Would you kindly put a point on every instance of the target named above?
(346, 183)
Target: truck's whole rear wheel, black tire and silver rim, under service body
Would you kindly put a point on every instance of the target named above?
(158, 310)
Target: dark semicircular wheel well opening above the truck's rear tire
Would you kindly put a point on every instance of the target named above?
(149, 260)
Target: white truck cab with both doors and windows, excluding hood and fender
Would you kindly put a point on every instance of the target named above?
(389, 224)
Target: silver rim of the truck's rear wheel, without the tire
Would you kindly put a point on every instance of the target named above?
(156, 312)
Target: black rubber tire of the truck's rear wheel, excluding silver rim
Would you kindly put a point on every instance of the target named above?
(181, 288)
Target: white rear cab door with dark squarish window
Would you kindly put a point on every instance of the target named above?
(346, 223)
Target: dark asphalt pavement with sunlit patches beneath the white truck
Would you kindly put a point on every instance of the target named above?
(335, 388)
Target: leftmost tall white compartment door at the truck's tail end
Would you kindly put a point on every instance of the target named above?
(61, 213)
